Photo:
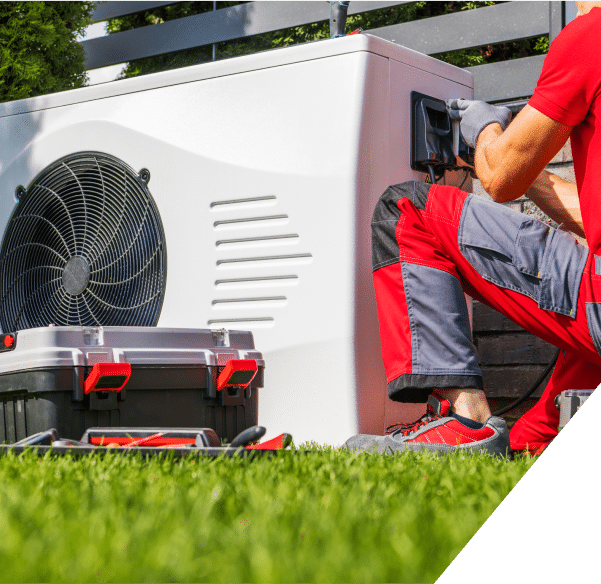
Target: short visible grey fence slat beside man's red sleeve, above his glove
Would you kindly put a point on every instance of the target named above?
(506, 80)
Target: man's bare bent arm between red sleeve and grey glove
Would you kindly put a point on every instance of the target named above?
(508, 163)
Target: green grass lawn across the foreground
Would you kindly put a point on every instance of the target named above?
(322, 516)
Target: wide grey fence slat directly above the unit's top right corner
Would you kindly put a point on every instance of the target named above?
(470, 28)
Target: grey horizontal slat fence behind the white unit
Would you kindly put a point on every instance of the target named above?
(466, 29)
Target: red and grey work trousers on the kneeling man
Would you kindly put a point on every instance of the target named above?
(431, 244)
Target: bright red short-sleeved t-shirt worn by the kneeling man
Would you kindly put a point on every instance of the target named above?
(569, 91)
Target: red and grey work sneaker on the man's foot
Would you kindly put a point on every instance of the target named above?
(438, 431)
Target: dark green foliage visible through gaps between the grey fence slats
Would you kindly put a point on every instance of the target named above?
(301, 34)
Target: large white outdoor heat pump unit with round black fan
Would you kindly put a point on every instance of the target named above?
(236, 194)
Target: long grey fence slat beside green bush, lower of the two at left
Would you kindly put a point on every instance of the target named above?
(211, 27)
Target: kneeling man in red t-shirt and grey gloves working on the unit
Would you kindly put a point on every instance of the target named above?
(432, 243)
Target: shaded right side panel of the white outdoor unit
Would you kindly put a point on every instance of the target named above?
(385, 146)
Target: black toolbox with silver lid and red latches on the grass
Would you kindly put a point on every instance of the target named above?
(74, 378)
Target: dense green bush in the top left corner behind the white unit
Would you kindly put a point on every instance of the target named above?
(39, 52)
